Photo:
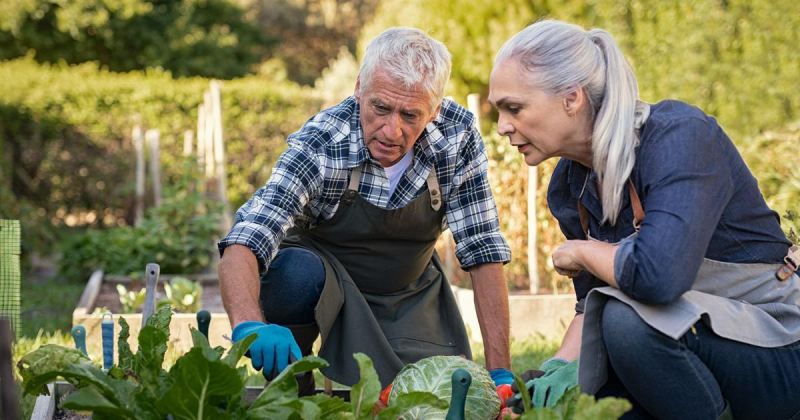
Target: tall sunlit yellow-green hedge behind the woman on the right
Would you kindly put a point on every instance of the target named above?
(728, 58)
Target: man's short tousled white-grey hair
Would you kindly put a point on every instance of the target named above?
(411, 57)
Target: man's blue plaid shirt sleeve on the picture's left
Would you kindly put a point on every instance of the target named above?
(262, 222)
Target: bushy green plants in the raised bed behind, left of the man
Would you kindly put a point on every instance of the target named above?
(178, 235)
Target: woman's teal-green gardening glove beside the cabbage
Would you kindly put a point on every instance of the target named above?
(547, 384)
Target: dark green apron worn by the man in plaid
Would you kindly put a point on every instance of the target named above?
(385, 292)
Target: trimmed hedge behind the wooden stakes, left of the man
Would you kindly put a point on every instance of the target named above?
(67, 130)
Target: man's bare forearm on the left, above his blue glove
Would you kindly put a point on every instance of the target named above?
(239, 284)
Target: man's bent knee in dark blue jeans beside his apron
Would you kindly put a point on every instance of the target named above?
(292, 286)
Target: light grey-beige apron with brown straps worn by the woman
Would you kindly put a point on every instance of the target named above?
(740, 302)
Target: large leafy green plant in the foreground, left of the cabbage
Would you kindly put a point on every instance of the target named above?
(204, 383)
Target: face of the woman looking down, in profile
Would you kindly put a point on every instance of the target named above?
(537, 124)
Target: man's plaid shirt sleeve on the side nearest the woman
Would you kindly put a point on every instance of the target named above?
(472, 212)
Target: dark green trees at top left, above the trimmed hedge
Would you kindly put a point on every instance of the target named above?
(211, 38)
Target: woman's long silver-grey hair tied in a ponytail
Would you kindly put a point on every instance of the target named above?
(562, 58)
